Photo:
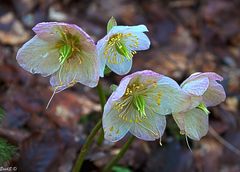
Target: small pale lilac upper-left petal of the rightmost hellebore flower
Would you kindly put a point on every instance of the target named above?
(196, 86)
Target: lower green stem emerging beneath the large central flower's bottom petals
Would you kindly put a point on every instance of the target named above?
(124, 149)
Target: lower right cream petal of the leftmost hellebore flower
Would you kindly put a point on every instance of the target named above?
(82, 68)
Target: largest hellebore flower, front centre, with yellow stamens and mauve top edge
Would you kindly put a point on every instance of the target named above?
(139, 104)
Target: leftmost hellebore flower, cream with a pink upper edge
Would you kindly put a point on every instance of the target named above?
(64, 52)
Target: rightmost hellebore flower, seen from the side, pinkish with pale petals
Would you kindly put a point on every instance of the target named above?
(205, 91)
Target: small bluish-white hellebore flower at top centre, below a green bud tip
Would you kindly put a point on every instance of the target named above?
(117, 48)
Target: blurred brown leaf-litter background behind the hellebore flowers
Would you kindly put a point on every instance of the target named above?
(187, 36)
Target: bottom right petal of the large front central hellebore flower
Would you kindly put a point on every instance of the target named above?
(150, 128)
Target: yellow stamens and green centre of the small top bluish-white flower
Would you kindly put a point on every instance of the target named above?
(117, 44)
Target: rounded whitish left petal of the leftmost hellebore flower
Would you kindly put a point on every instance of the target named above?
(38, 56)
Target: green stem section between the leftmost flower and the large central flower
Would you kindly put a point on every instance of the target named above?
(102, 98)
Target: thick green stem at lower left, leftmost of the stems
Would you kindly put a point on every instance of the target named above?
(78, 164)
